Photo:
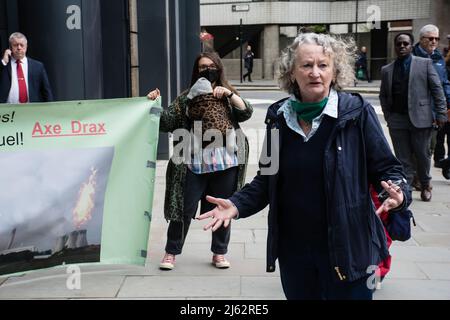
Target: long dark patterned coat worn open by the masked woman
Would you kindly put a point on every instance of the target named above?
(175, 118)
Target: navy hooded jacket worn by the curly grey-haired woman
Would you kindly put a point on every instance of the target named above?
(357, 155)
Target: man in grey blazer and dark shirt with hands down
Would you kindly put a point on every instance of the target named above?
(409, 85)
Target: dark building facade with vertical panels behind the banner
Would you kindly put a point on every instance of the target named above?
(103, 49)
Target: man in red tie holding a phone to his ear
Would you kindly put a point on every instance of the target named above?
(22, 79)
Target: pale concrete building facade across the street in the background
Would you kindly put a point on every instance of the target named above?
(270, 25)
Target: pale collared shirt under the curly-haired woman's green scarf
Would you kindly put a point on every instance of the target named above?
(331, 109)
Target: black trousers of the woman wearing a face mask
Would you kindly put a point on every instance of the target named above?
(221, 184)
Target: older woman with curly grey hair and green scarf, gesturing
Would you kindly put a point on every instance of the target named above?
(323, 227)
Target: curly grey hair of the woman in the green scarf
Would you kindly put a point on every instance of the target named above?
(342, 52)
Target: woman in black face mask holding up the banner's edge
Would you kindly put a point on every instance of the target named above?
(219, 171)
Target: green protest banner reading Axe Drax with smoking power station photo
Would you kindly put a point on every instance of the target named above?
(77, 182)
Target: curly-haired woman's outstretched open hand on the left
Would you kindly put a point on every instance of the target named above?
(221, 214)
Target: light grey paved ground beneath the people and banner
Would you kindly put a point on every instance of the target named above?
(420, 266)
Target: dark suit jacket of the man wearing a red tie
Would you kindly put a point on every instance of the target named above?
(39, 89)
